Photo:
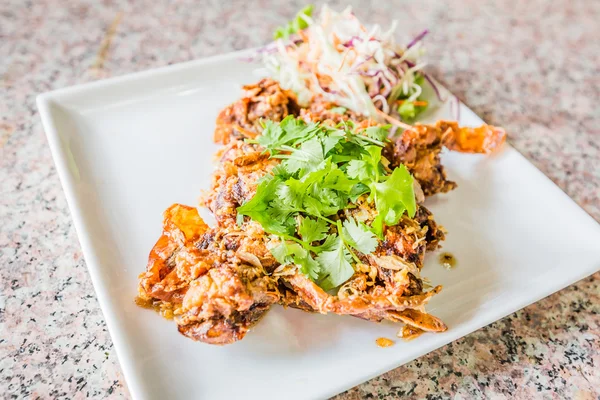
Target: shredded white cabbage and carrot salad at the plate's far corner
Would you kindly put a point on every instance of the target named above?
(335, 56)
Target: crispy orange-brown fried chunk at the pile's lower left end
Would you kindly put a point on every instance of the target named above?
(216, 296)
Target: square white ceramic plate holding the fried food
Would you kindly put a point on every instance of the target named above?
(127, 148)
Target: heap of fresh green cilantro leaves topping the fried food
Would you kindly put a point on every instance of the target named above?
(324, 170)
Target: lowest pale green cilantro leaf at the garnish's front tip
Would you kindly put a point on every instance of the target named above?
(335, 265)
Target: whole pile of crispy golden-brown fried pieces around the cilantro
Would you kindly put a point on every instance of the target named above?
(219, 281)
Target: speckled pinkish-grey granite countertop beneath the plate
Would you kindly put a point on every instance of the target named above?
(531, 67)
